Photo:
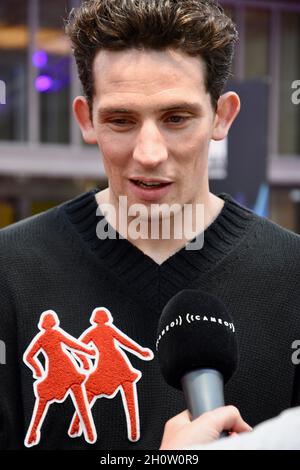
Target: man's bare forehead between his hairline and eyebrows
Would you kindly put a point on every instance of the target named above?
(148, 75)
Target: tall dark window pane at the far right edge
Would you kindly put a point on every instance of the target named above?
(289, 135)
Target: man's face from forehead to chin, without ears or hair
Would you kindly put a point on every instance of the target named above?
(153, 121)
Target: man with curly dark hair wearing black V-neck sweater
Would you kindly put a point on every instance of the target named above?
(153, 74)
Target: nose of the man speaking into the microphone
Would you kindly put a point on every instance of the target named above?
(150, 149)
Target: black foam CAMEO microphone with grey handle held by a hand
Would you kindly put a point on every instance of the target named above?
(197, 348)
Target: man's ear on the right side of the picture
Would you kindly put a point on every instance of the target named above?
(227, 110)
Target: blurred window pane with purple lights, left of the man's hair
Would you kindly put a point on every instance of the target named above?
(53, 62)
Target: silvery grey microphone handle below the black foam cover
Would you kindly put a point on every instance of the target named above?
(204, 391)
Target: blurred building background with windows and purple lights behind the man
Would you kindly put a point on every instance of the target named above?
(43, 160)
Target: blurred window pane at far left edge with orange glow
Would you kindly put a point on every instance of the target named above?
(13, 69)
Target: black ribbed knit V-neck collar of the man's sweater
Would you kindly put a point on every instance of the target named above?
(179, 270)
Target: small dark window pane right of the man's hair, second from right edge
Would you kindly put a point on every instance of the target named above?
(257, 41)
